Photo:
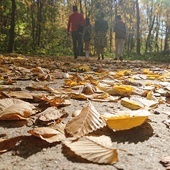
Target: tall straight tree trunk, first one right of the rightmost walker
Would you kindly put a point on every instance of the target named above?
(138, 27)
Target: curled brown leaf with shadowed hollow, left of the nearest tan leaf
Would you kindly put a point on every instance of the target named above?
(48, 134)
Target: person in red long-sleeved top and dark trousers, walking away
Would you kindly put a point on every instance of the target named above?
(76, 23)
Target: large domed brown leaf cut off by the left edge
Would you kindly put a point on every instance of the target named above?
(15, 109)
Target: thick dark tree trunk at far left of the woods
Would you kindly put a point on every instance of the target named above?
(12, 28)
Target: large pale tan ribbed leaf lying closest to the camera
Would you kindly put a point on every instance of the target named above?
(95, 149)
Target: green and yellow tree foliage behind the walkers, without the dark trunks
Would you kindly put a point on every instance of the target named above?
(40, 26)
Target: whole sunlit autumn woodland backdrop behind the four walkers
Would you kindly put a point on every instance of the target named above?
(39, 26)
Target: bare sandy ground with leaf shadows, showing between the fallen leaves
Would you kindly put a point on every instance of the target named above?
(140, 148)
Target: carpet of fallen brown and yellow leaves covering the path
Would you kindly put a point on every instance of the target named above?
(37, 90)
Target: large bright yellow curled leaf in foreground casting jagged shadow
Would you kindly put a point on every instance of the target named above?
(124, 120)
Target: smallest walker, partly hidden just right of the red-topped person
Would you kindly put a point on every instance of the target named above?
(87, 36)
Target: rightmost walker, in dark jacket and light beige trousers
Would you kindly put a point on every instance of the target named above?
(120, 36)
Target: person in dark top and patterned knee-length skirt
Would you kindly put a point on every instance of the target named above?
(100, 39)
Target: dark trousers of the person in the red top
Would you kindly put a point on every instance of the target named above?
(77, 43)
